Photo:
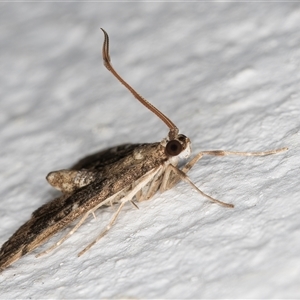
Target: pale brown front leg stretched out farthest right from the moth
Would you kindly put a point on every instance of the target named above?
(191, 163)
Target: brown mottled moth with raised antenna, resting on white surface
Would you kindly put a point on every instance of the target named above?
(126, 173)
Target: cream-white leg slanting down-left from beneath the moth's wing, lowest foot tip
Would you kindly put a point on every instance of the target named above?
(145, 179)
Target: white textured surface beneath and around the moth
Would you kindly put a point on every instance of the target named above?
(227, 74)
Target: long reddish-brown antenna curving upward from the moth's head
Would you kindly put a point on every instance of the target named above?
(106, 60)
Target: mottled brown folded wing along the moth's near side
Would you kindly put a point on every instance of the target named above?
(116, 168)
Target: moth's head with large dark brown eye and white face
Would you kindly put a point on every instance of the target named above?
(179, 146)
